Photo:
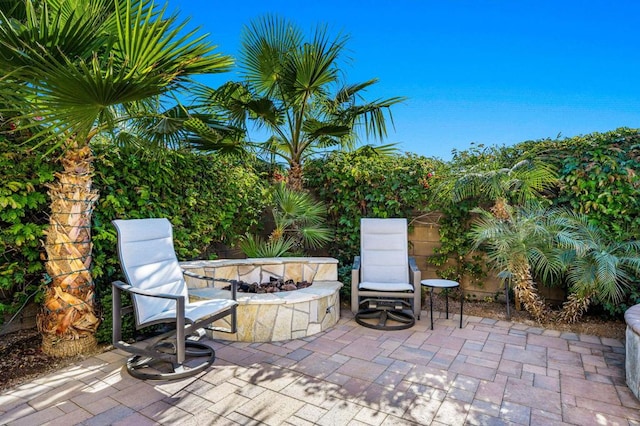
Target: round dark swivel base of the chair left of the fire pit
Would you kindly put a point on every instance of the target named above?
(149, 368)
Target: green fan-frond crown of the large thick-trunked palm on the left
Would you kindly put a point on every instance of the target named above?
(73, 65)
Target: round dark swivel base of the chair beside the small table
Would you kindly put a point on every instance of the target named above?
(384, 314)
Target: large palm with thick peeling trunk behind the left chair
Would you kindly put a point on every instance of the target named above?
(72, 68)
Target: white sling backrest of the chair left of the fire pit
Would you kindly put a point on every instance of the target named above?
(149, 262)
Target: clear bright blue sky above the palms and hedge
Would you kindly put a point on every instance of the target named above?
(488, 72)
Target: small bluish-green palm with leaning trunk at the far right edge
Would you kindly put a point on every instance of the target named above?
(597, 268)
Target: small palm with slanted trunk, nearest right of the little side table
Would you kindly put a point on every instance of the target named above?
(525, 243)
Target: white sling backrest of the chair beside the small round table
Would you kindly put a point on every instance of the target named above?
(384, 252)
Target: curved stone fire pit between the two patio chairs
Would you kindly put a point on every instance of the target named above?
(270, 317)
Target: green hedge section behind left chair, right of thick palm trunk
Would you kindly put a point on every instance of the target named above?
(208, 199)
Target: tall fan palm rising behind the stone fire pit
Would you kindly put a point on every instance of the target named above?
(291, 87)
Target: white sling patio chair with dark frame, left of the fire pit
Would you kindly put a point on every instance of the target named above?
(158, 290)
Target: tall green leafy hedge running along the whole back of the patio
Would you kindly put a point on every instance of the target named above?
(210, 199)
